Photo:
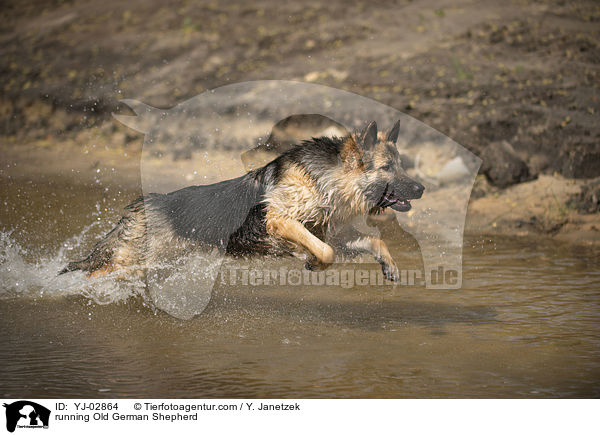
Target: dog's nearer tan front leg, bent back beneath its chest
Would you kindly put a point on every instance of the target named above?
(293, 231)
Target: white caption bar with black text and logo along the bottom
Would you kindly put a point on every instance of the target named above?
(78, 416)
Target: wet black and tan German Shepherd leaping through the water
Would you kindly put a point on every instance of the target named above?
(286, 207)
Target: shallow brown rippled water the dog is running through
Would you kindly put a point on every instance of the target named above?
(525, 324)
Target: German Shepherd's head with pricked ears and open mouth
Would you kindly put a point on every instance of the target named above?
(384, 181)
